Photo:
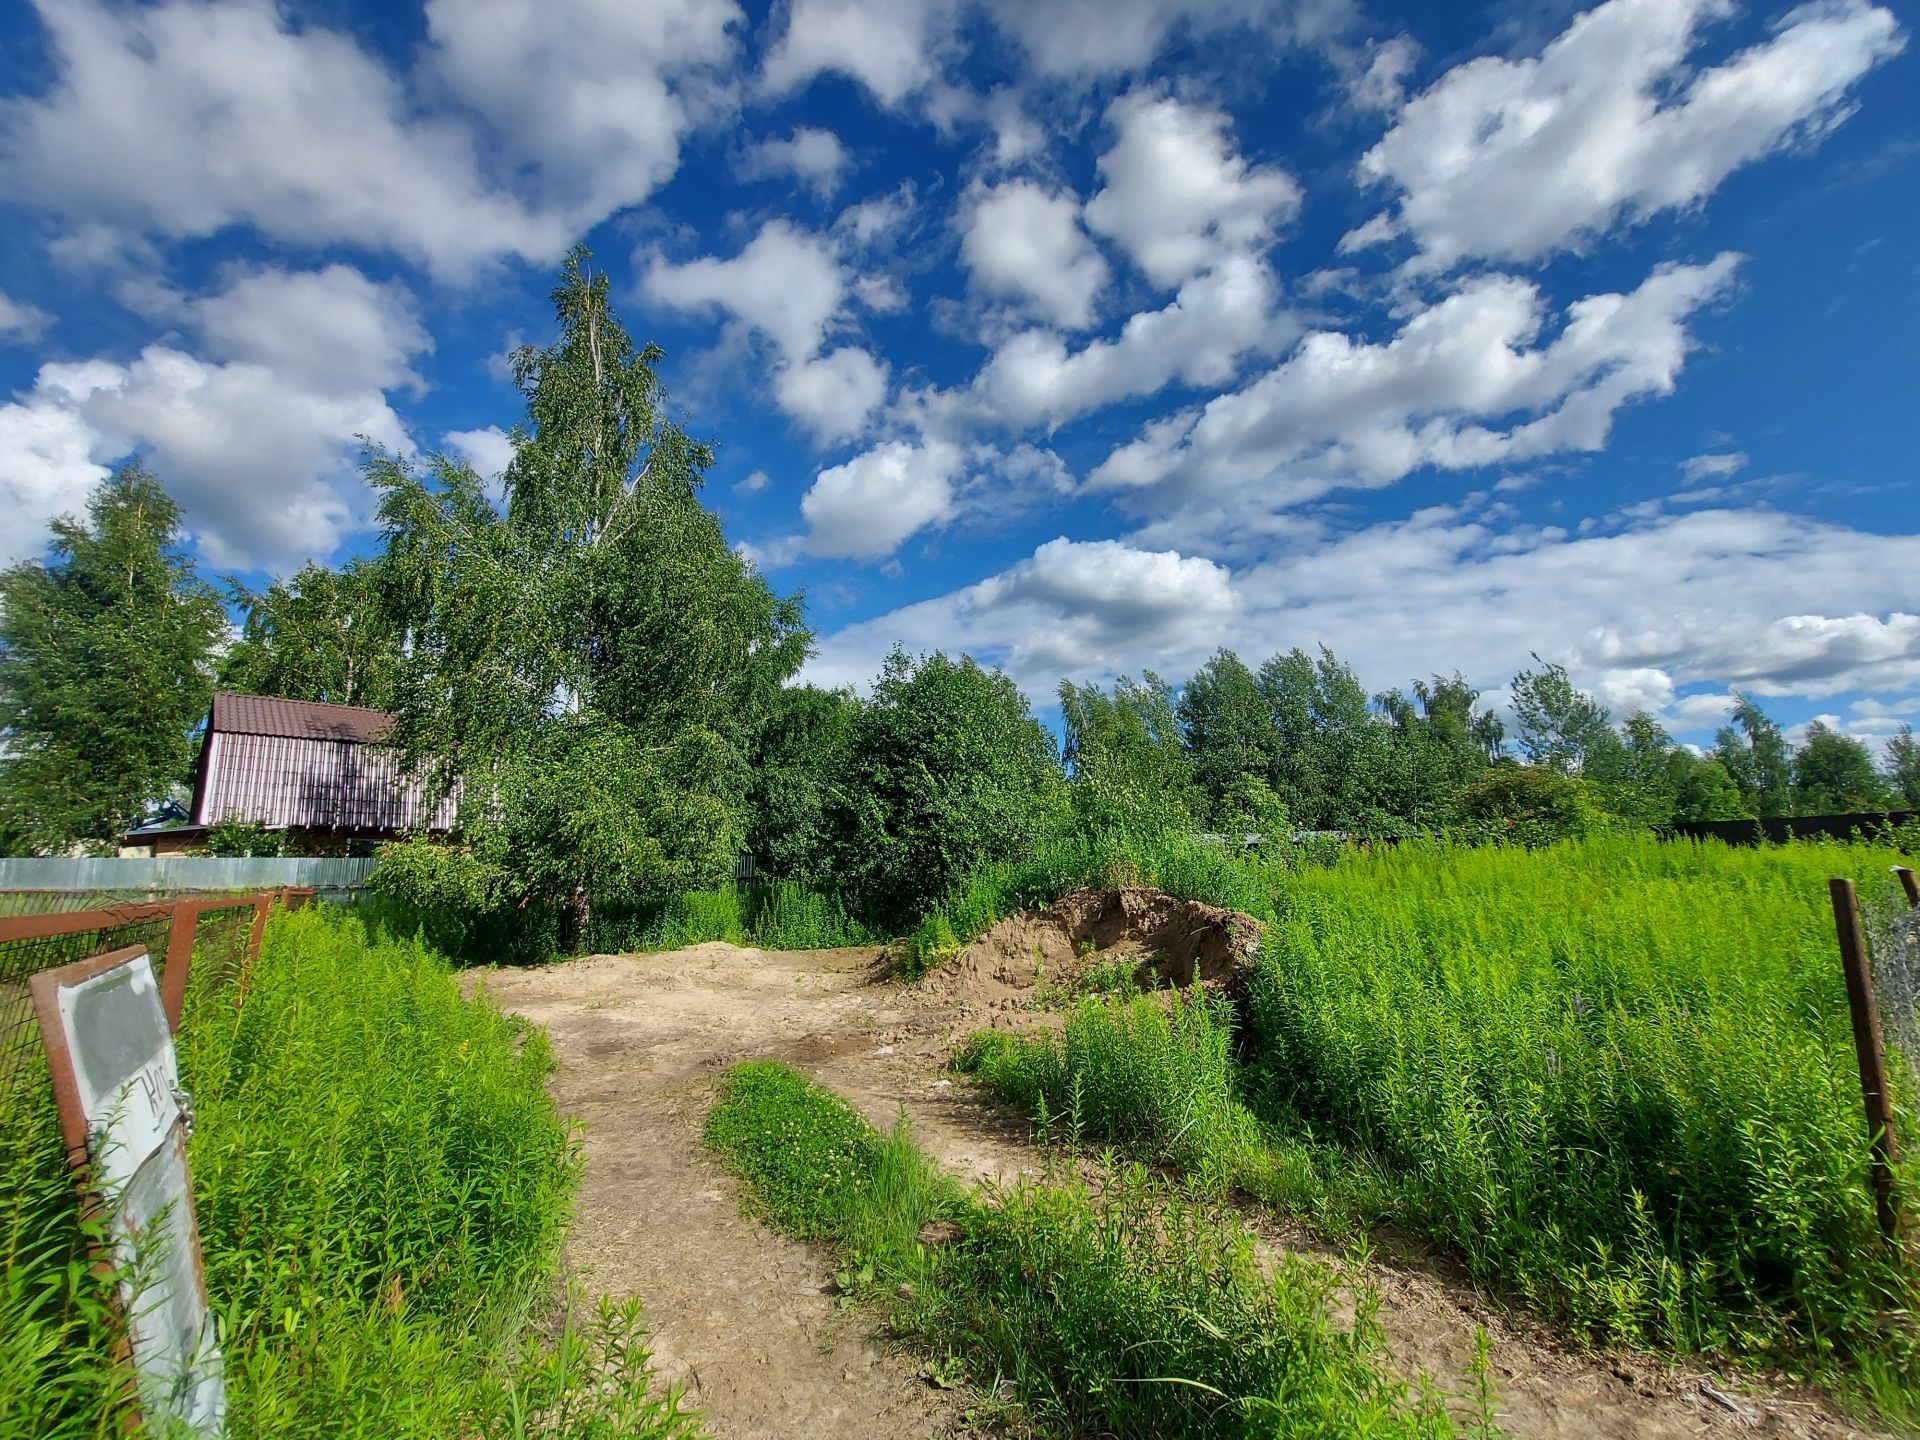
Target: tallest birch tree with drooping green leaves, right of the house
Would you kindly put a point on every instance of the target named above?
(592, 661)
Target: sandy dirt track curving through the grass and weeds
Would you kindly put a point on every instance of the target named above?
(746, 1320)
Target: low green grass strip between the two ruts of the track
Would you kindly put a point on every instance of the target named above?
(1140, 1312)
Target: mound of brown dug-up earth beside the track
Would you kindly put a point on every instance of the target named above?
(1174, 942)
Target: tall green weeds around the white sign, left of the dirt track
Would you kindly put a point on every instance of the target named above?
(383, 1188)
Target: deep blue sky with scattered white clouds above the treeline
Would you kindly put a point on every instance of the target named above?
(1080, 335)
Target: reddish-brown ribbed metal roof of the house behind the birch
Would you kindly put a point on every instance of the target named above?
(297, 763)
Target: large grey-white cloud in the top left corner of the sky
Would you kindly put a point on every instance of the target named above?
(181, 120)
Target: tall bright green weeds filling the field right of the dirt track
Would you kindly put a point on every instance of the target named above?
(1616, 1076)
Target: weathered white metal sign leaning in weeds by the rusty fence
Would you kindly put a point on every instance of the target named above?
(120, 1093)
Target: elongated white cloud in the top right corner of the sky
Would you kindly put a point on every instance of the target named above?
(1518, 158)
